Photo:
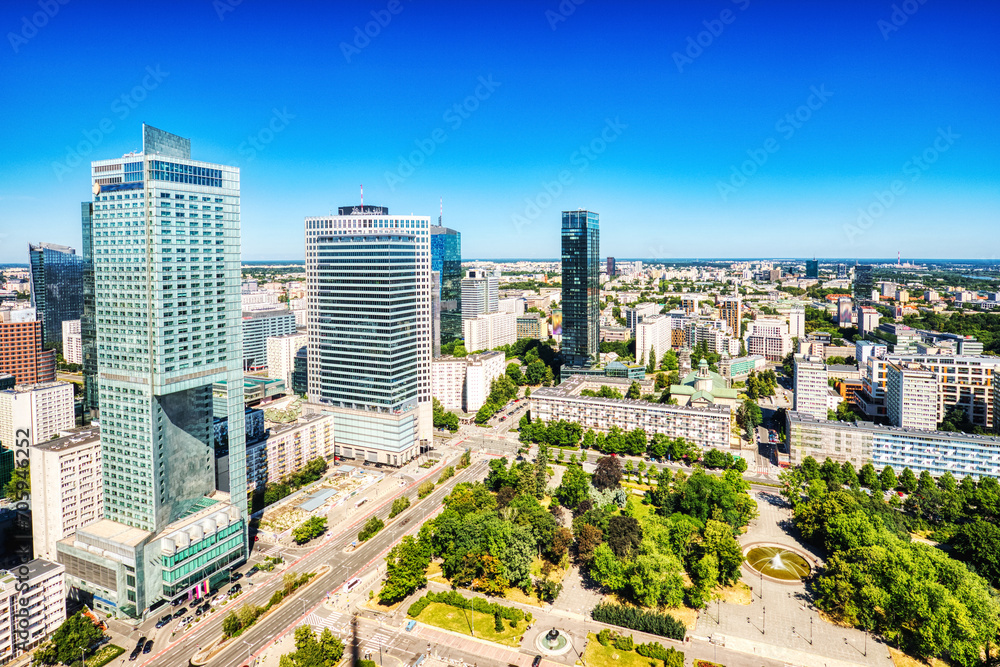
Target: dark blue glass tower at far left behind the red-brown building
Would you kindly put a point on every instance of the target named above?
(56, 287)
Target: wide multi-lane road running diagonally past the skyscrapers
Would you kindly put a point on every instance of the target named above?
(330, 552)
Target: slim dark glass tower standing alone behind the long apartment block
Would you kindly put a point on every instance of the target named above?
(580, 287)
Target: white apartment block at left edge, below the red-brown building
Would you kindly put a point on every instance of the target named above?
(41, 409)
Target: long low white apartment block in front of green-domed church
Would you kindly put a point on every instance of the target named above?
(706, 427)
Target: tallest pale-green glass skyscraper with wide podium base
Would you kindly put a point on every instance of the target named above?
(166, 261)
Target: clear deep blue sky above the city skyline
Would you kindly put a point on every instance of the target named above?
(695, 129)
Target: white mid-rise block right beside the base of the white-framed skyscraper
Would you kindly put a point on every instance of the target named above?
(463, 383)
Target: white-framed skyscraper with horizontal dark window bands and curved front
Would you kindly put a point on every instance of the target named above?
(368, 277)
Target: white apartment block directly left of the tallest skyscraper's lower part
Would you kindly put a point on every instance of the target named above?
(66, 488)
